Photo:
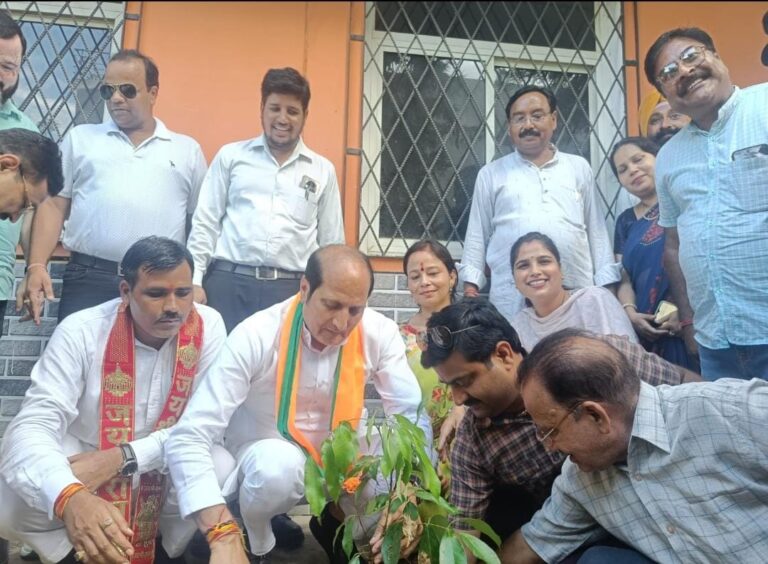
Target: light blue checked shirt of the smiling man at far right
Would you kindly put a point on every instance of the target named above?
(716, 194)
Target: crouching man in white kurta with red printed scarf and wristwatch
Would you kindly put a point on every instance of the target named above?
(61, 414)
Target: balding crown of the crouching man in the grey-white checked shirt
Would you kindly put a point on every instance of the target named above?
(574, 366)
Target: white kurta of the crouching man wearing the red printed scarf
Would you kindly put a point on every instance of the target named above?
(65, 400)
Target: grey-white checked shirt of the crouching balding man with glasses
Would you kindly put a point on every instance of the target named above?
(694, 487)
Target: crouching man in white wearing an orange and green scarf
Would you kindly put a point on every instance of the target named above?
(329, 316)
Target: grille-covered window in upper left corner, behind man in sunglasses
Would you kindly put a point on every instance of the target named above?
(68, 47)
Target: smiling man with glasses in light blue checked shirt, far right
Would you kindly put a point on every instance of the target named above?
(712, 181)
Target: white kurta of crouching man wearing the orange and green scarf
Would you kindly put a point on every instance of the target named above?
(238, 396)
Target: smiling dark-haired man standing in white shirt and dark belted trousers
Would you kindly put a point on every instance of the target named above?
(266, 204)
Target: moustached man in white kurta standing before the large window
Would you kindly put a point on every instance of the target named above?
(535, 188)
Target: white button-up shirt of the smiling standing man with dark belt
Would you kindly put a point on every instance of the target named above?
(257, 212)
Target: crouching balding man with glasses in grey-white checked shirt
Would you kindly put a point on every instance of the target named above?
(677, 473)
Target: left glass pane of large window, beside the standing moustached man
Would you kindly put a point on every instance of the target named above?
(433, 144)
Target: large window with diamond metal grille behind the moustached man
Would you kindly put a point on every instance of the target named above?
(438, 76)
